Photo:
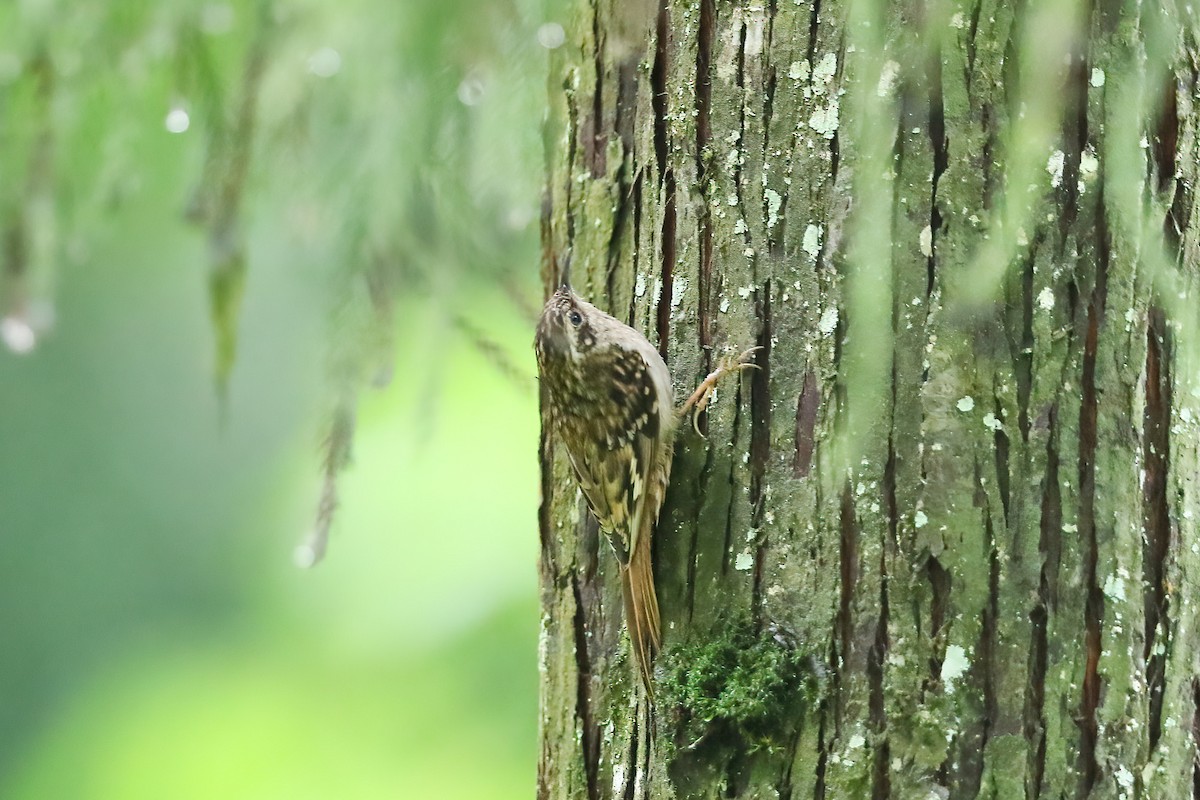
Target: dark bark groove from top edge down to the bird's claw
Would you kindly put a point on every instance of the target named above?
(704, 136)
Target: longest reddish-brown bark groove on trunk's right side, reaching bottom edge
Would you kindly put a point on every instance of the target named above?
(1094, 615)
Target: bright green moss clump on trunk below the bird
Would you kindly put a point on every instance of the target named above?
(742, 689)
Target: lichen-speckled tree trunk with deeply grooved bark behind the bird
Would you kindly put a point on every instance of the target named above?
(944, 543)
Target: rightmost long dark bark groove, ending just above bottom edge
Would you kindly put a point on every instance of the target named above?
(1156, 518)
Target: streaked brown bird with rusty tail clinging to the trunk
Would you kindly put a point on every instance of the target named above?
(613, 404)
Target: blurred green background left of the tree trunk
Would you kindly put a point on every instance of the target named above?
(158, 640)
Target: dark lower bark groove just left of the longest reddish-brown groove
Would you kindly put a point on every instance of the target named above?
(1051, 551)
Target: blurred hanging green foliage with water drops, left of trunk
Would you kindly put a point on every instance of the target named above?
(394, 148)
